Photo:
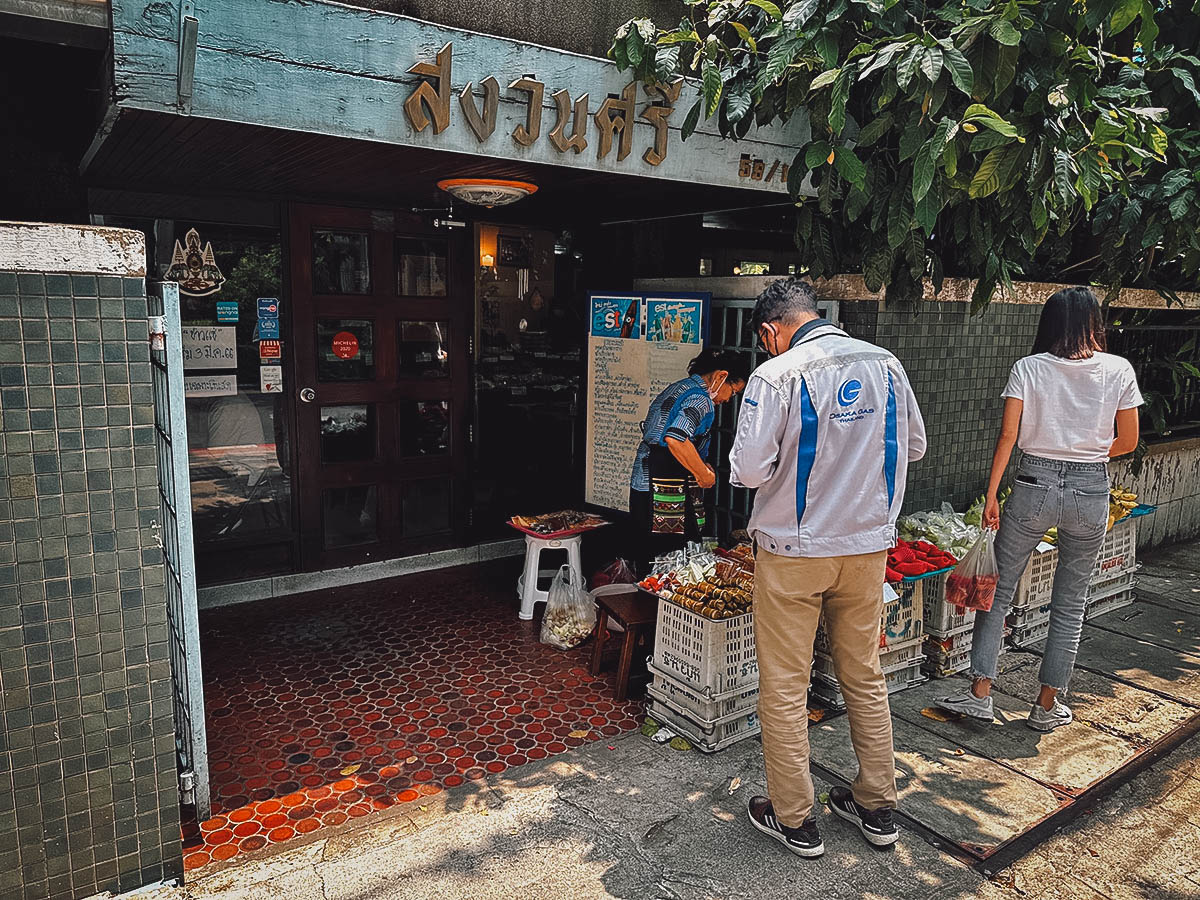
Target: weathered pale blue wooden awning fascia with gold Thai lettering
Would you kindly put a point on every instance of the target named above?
(339, 71)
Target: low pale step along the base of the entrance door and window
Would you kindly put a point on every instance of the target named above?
(285, 585)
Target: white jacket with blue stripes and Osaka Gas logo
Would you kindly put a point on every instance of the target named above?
(826, 435)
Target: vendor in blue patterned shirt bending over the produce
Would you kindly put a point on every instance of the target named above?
(667, 489)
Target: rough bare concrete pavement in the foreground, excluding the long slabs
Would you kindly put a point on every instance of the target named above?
(645, 821)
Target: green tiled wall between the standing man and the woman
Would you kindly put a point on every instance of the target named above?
(958, 367)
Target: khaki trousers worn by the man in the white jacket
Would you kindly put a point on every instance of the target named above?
(789, 597)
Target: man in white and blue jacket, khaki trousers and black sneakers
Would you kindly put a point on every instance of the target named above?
(826, 433)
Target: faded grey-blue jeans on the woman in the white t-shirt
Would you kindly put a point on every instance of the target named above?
(1047, 494)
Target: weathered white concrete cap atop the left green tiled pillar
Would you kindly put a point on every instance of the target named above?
(37, 248)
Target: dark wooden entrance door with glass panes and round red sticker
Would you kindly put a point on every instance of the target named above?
(382, 313)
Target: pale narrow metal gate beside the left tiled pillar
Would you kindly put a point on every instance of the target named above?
(176, 537)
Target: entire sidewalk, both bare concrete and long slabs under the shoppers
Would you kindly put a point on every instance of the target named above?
(632, 819)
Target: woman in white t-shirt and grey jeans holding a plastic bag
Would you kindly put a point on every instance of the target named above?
(1070, 407)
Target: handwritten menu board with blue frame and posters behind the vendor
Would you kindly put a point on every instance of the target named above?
(638, 345)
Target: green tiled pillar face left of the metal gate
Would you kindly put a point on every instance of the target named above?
(88, 794)
